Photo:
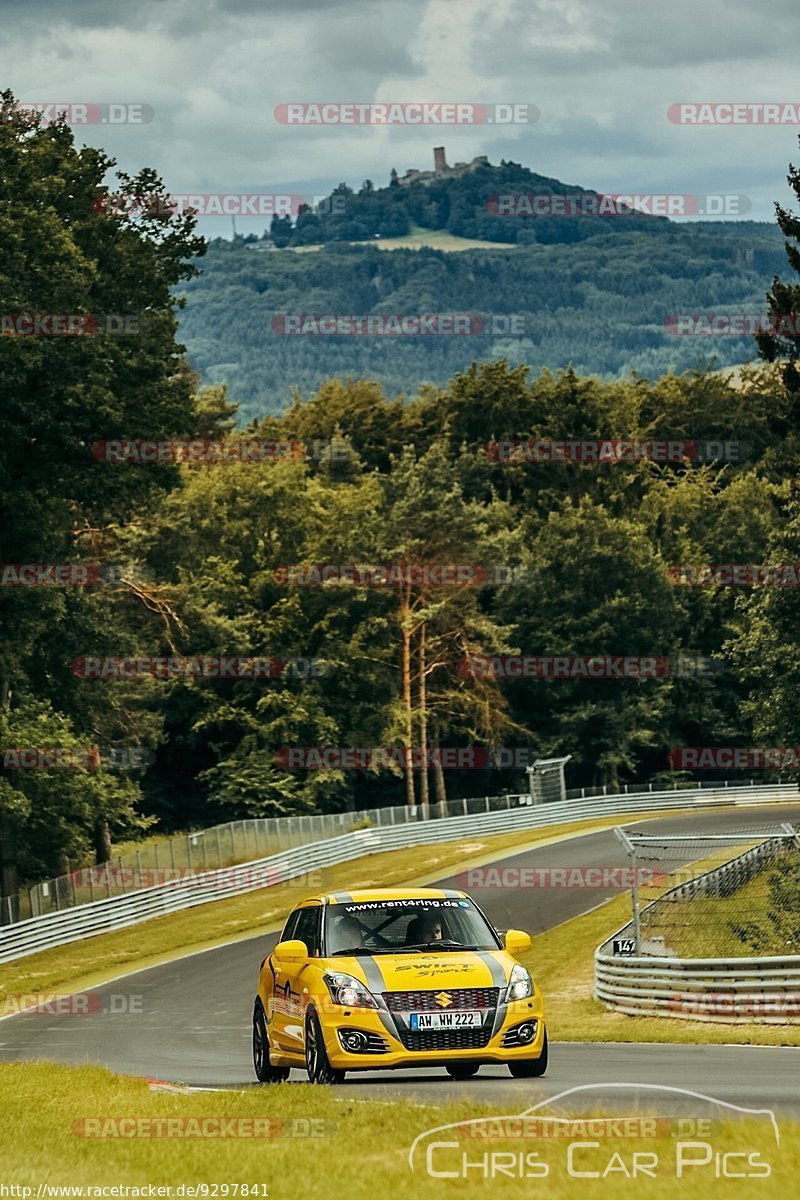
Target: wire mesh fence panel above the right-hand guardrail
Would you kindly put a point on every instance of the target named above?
(732, 895)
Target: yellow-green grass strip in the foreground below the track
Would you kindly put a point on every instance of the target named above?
(85, 1127)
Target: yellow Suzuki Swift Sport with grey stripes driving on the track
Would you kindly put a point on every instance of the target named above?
(396, 979)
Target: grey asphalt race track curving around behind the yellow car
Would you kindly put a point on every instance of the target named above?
(190, 1021)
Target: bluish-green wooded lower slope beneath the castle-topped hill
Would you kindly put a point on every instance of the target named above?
(601, 304)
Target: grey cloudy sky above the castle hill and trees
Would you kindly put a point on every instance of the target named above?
(603, 74)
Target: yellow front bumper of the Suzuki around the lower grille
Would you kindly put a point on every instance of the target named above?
(381, 1029)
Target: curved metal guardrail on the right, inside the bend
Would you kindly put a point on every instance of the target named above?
(729, 991)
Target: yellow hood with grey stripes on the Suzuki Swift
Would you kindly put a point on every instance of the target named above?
(448, 969)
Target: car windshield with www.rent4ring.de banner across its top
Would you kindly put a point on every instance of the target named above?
(413, 926)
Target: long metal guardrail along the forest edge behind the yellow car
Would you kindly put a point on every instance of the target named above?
(57, 929)
